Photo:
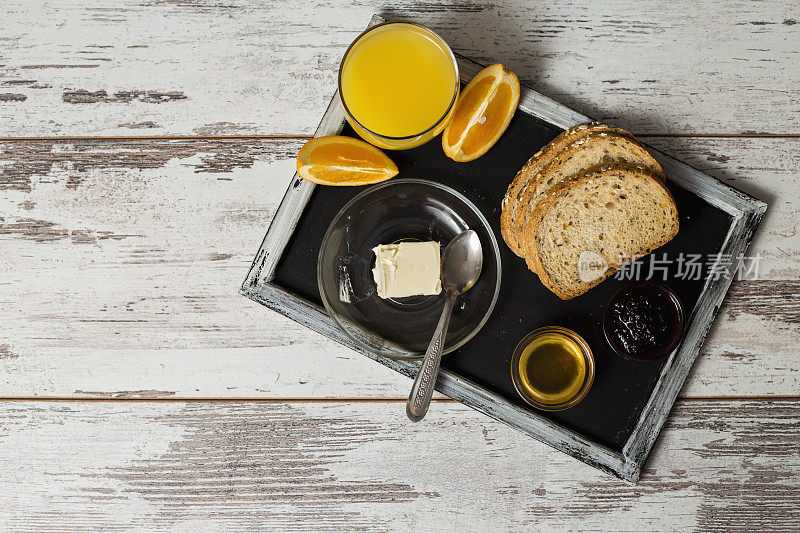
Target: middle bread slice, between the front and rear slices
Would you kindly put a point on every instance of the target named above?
(583, 155)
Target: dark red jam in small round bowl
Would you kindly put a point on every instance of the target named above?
(643, 321)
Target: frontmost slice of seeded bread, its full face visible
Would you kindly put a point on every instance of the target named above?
(612, 215)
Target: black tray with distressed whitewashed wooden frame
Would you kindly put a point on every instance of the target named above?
(615, 426)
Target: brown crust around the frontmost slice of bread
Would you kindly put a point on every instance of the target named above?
(630, 172)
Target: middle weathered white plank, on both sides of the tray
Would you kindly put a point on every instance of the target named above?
(121, 261)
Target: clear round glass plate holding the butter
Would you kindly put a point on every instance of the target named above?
(395, 211)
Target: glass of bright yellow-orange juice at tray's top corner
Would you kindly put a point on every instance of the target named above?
(398, 85)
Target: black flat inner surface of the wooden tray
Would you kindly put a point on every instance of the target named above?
(608, 414)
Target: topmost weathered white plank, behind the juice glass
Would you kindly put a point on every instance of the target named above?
(131, 67)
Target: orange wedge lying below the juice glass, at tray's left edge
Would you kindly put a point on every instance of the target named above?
(339, 160)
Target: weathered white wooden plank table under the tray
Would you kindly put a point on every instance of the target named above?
(144, 146)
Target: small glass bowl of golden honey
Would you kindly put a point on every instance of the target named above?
(552, 368)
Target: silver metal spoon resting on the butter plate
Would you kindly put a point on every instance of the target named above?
(462, 262)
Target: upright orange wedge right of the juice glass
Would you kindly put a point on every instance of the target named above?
(483, 112)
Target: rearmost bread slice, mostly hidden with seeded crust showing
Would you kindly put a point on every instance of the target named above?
(534, 165)
